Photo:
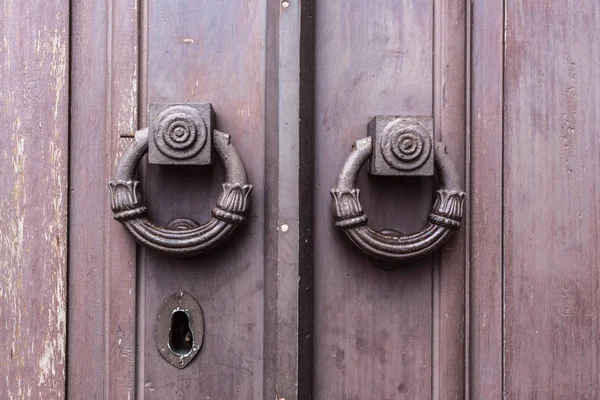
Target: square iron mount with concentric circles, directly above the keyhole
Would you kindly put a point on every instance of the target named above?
(180, 133)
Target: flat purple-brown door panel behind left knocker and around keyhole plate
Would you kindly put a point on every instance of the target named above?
(209, 51)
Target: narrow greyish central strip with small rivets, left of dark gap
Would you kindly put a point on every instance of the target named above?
(288, 221)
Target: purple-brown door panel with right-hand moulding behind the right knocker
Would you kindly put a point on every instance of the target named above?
(374, 330)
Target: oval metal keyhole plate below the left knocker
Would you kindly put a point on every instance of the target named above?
(179, 329)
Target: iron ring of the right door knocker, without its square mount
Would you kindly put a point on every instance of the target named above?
(445, 216)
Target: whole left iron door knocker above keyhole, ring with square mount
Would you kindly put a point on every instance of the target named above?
(180, 134)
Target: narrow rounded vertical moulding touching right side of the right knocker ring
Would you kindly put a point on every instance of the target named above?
(449, 111)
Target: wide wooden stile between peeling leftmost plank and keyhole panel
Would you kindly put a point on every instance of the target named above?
(101, 254)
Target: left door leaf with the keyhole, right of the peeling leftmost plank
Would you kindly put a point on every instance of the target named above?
(235, 56)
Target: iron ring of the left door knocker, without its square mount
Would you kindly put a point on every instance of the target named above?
(229, 212)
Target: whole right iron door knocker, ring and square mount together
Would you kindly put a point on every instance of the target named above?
(402, 147)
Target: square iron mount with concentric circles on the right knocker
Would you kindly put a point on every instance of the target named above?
(402, 146)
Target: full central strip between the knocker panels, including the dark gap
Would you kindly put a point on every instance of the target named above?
(288, 276)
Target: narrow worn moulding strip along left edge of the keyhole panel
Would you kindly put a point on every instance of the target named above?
(120, 267)
